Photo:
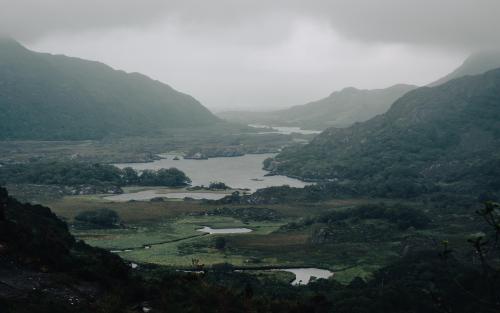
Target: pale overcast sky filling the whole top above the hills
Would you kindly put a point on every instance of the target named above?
(262, 54)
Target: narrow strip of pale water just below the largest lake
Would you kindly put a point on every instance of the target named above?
(150, 194)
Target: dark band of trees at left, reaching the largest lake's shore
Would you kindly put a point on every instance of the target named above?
(72, 173)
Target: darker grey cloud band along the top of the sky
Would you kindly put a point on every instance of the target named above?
(456, 23)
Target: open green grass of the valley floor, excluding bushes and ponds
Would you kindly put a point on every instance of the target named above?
(166, 233)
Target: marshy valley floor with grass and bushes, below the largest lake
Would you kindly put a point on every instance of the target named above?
(344, 236)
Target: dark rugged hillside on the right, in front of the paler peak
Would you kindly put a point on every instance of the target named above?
(433, 138)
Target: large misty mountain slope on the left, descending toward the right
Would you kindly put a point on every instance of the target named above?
(44, 96)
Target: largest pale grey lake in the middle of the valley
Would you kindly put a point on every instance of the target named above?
(237, 172)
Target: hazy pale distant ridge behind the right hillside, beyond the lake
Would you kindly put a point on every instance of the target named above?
(340, 109)
